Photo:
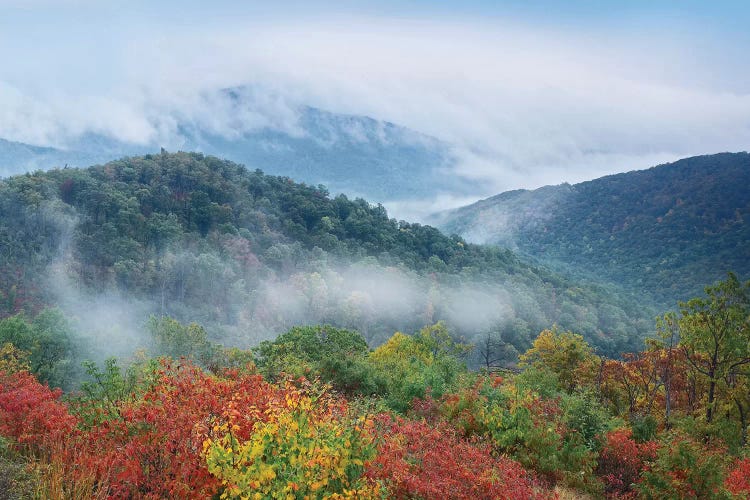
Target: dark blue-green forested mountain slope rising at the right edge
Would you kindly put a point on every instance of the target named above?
(665, 232)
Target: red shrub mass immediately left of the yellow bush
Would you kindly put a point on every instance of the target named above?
(155, 449)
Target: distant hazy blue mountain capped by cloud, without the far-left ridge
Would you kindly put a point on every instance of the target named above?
(356, 155)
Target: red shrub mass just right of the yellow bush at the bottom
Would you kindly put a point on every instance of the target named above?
(417, 460)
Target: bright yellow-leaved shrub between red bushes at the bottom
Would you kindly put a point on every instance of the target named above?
(307, 446)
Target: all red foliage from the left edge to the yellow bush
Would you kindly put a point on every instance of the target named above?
(154, 449)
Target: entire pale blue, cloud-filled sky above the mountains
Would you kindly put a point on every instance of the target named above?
(528, 92)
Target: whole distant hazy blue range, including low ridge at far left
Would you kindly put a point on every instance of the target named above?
(356, 155)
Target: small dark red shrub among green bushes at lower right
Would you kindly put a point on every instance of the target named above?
(622, 460)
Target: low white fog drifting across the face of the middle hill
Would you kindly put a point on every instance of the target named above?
(373, 299)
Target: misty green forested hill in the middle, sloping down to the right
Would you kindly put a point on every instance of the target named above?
(249, 255)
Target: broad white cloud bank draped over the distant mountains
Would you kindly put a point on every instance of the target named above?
(524, 105)
